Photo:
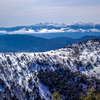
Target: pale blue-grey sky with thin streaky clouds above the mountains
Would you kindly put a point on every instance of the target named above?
(29, 12)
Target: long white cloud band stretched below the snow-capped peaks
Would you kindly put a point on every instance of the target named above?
(30, 31)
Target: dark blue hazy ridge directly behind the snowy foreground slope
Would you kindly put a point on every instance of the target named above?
(27, 43)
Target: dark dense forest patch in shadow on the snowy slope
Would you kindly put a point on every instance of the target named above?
(67, 83)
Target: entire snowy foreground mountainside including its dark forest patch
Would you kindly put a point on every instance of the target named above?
(70, 71)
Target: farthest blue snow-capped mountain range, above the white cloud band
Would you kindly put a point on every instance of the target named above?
(53, 26)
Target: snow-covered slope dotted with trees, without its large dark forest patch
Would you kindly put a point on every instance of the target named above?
(18, 71)
